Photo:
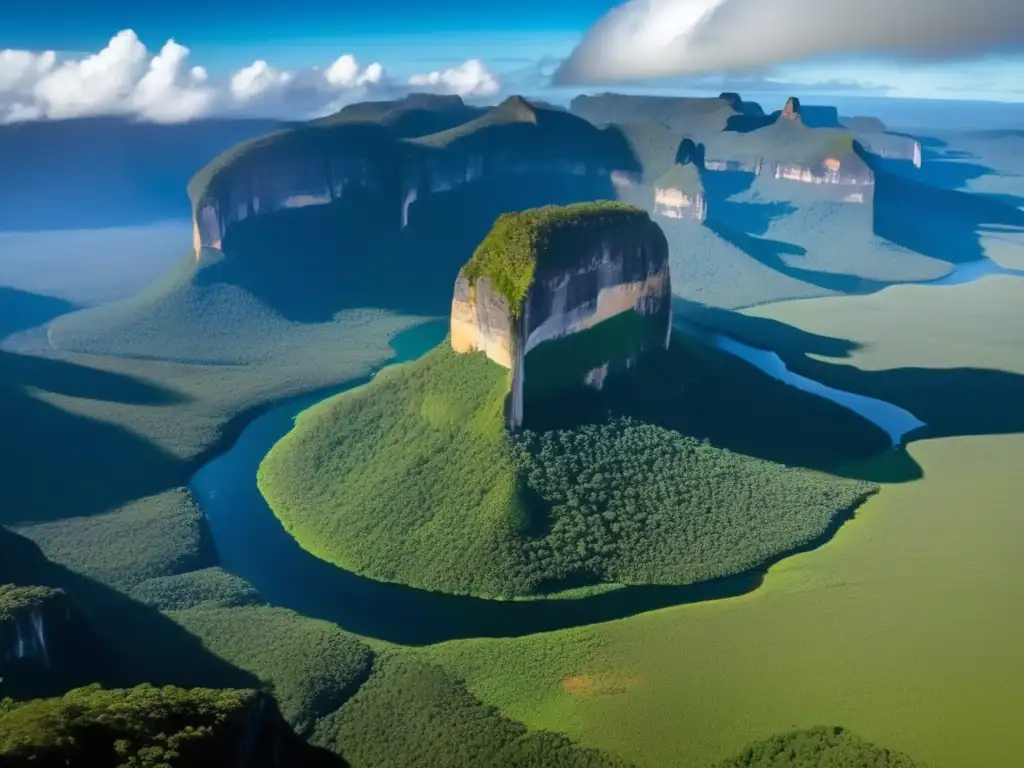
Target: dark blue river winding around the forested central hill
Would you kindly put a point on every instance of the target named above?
(252, 544)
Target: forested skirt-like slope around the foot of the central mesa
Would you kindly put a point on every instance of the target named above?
(414, 479)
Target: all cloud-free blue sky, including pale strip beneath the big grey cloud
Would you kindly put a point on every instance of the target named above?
(413, 37)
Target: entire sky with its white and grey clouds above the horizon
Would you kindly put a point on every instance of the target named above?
(176, 61)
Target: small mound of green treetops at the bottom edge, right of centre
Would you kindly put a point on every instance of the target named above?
(818, 748)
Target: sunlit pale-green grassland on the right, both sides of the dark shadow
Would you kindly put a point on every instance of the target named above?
(906, 628)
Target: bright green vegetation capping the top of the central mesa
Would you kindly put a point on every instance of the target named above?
(522, 242)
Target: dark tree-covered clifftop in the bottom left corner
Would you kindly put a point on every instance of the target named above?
(148, 728)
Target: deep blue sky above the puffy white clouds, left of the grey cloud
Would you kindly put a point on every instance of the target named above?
(227, 34)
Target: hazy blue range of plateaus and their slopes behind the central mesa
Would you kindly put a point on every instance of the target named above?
(379, 205)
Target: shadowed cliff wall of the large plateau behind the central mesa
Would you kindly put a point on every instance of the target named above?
(376, 181)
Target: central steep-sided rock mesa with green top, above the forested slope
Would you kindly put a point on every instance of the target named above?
(565, 296)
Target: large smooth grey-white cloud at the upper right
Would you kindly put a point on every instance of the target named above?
(660, 38)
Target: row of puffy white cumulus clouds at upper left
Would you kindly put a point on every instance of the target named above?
(125, 79)
